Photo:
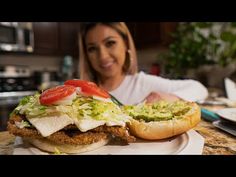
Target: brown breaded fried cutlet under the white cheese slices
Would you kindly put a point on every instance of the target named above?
(71, 134)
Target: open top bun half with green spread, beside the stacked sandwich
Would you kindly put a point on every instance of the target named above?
(162, 119)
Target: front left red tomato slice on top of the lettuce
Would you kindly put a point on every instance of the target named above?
(56, 93)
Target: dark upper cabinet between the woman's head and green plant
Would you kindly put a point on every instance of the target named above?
(150, 34)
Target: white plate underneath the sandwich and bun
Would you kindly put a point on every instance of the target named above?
(187, 143)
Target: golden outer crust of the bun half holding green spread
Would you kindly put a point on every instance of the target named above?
(156, 130)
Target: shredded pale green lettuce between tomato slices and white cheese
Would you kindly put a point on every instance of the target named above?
(81, 108)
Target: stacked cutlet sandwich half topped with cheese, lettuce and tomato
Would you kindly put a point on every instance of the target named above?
(72, 118)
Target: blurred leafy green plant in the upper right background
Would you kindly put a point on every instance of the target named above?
(196, 44)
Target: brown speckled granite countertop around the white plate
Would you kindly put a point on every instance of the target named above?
(216, 141)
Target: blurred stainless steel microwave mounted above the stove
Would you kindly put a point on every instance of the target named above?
(16, 36)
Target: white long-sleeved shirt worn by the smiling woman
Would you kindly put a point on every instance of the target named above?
(135, 88)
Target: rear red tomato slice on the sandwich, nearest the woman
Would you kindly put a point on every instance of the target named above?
(89, 88)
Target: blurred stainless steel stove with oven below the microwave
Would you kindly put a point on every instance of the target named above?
(15, 83)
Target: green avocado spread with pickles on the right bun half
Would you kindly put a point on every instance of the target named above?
(158, 111)
